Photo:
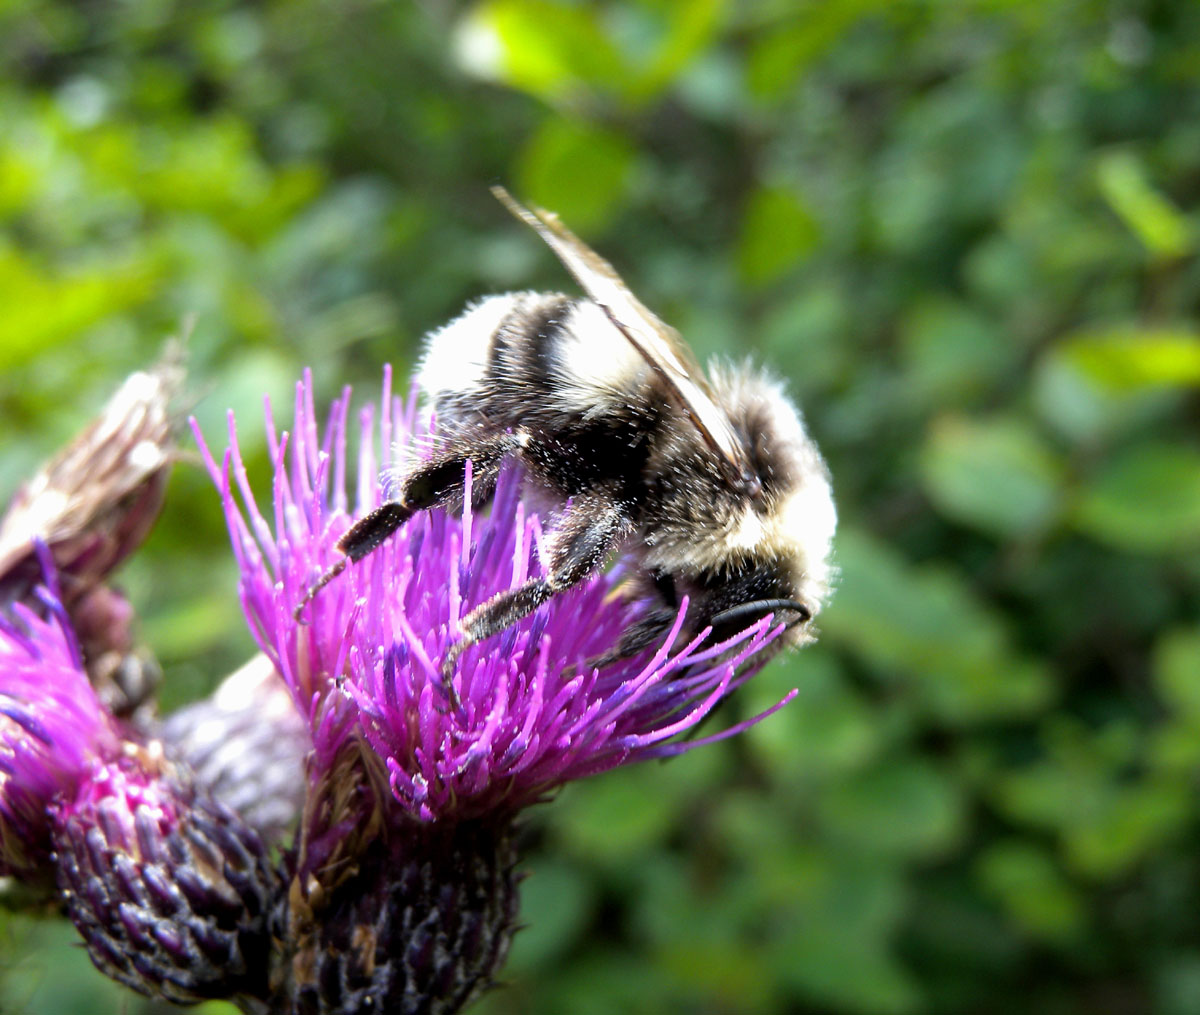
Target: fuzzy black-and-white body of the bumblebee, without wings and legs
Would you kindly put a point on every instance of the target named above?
(590, 417)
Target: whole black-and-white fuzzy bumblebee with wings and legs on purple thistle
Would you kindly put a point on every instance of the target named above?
(707, 484)
